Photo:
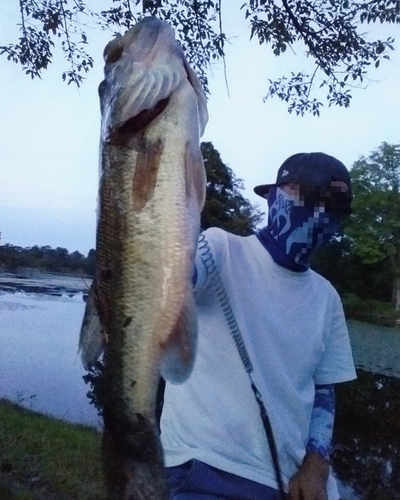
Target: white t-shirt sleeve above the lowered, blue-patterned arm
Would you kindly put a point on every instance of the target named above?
(337, 363)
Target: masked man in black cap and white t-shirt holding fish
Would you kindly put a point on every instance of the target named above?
(291, 324)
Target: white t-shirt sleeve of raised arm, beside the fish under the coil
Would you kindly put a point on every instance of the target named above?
(210, 257)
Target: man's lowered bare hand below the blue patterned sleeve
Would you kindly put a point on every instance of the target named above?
(309, 483)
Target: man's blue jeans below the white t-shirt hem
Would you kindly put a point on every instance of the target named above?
(195, 480)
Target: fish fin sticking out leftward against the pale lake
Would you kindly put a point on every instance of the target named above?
(91, 340)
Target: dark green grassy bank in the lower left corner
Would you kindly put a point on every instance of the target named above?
(46, 459)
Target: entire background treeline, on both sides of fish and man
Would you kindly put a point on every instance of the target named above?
(362, 261)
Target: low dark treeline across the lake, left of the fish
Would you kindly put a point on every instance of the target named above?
(46, 258)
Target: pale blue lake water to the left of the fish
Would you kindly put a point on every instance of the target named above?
(40, 318)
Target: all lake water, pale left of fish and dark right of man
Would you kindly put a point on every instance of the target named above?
(40, 368)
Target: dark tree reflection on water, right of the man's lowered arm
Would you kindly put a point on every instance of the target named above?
(367, 436)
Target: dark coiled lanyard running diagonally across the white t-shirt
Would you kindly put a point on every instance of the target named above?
(218, 287)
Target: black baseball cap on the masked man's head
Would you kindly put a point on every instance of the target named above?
(308, 169)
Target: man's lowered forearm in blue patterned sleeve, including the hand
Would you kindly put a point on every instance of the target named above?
(310, 481)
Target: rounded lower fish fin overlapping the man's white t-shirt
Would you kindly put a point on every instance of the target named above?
(179, 351)
